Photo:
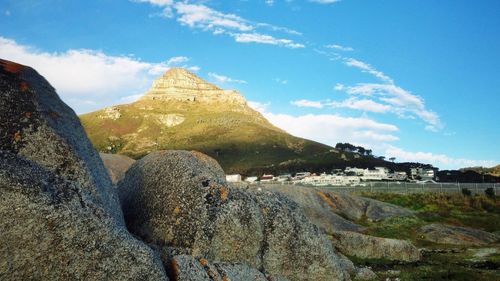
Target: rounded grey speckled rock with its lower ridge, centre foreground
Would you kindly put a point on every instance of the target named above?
(179, 199)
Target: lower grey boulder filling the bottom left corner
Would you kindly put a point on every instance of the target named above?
(53, 230)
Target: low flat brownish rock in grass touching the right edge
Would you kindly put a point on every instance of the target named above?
(456, 235)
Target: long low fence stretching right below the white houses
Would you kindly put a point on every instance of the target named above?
(406, 187)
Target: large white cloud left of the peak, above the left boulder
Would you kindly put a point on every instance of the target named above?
(88, 79)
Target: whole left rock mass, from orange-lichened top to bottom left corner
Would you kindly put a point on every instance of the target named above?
(59, 216)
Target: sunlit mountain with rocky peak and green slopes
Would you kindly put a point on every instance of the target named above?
(182, 111)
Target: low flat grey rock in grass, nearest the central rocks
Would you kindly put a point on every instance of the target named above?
(364, 246)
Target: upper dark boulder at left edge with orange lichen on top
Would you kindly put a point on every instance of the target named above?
(37, 125)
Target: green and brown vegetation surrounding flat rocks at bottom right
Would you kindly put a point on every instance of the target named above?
(440, 262)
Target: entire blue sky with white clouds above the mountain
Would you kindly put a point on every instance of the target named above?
(416, 79)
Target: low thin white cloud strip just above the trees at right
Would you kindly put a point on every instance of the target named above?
(438, 160)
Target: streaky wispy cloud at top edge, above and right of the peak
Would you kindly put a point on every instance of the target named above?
(199, 16)
